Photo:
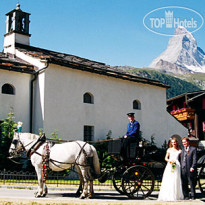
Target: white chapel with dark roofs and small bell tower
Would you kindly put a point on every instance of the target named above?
(80, 98)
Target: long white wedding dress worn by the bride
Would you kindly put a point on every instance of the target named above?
(171, 188)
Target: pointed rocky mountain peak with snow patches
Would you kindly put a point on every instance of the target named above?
(182, 54)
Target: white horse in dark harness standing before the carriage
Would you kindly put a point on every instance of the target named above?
(62, 156)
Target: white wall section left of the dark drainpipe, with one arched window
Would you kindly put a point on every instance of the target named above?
(18, 102)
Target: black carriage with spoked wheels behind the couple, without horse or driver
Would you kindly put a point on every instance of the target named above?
(137, 176)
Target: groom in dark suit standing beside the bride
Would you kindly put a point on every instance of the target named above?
(188, 168)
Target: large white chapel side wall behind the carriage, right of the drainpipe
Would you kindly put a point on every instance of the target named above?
(65, 111)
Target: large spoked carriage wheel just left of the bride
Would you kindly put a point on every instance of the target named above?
(138, 182)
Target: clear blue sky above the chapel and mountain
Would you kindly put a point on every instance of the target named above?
(108, 31)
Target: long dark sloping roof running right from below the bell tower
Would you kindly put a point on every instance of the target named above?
(83, 64)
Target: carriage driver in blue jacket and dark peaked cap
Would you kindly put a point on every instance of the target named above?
(132, 134)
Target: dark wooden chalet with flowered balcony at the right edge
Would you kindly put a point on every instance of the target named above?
(189, 109)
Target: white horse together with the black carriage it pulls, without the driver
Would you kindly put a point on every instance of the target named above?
(135, 177)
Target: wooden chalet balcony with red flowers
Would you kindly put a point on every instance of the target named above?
(184, 114)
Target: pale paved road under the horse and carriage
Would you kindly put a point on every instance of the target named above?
(26, 196)
